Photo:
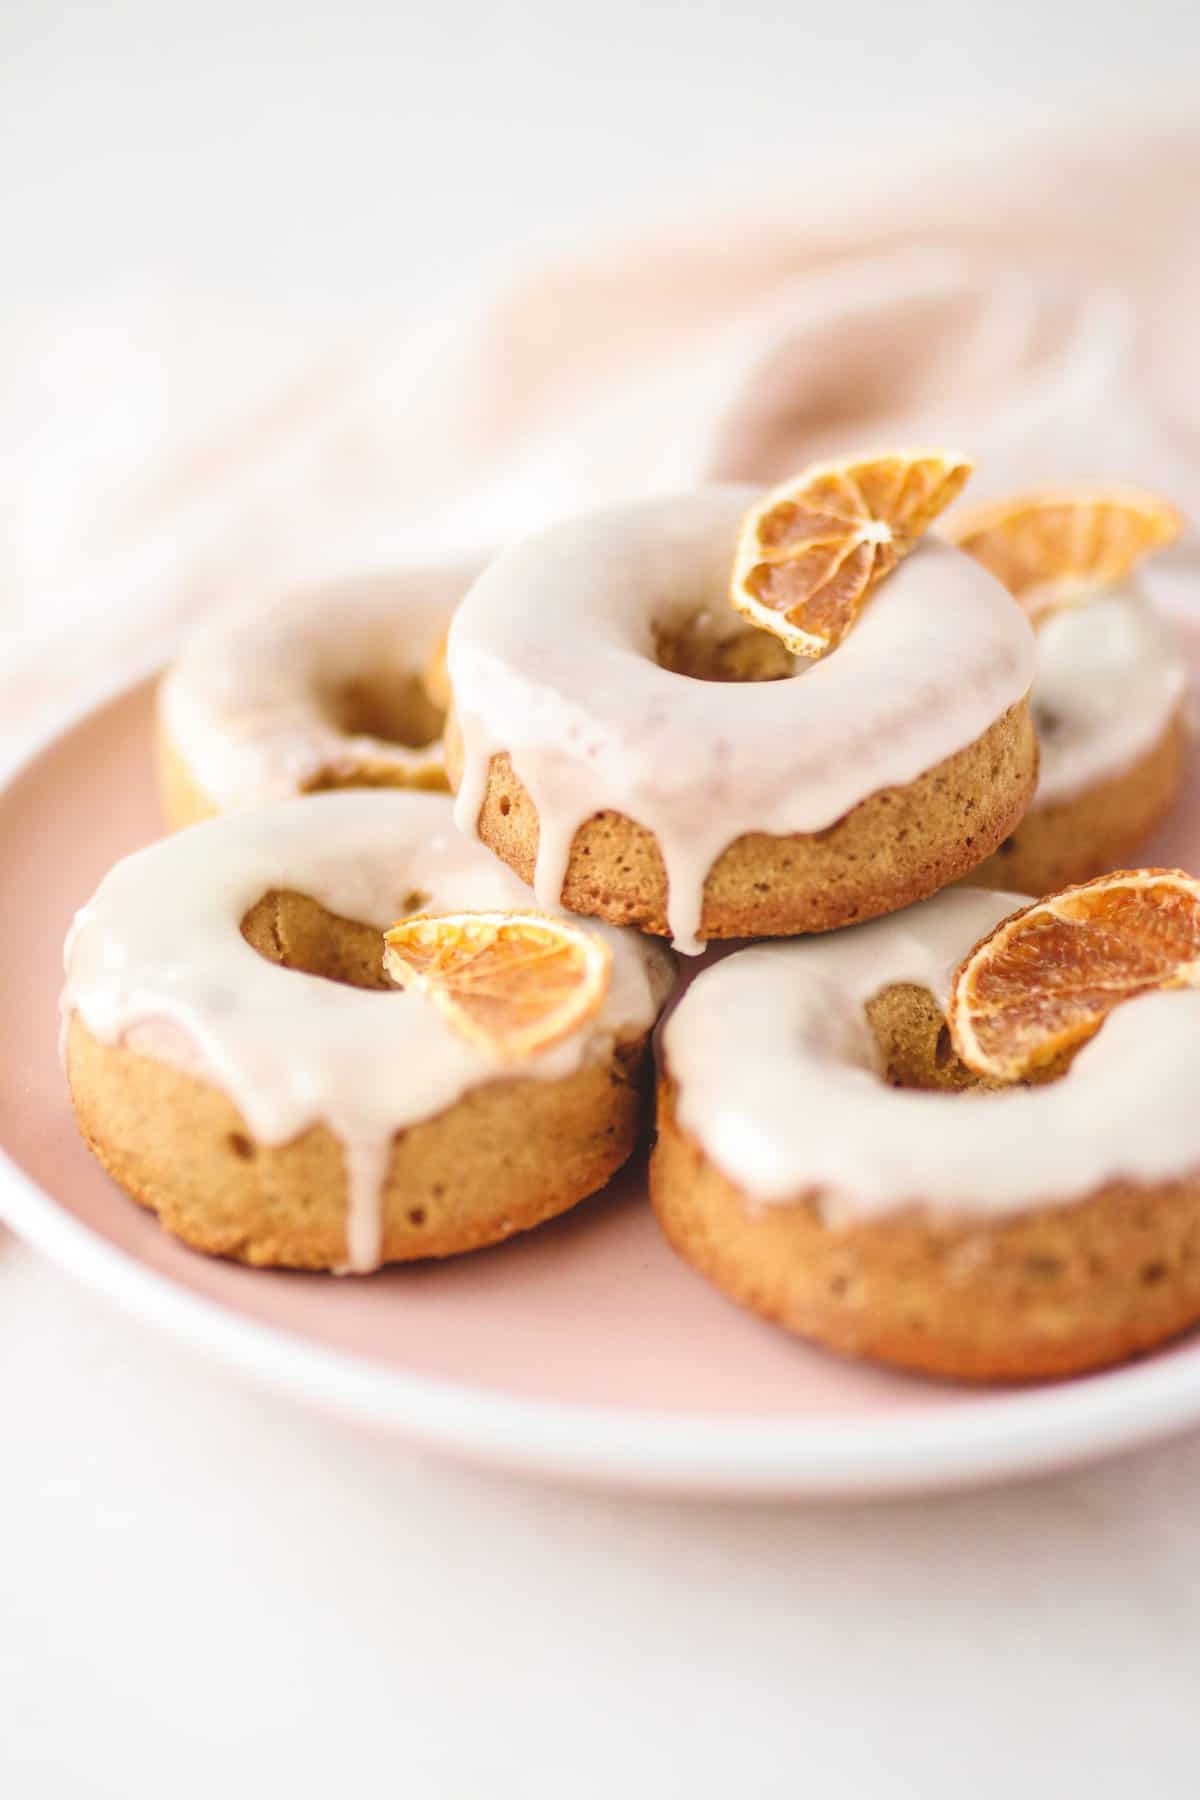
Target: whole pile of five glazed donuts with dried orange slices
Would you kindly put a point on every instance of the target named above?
(390, 989)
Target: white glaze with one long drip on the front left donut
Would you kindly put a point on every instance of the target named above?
(157, 962)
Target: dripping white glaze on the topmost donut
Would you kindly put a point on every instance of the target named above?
(553, 660)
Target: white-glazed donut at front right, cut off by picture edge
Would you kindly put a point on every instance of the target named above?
(823, 1162)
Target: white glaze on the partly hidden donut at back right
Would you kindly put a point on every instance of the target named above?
(1109, 683)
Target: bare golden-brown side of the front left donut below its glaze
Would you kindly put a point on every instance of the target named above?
(501, 1160)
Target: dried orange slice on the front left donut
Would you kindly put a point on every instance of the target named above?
(512, 982)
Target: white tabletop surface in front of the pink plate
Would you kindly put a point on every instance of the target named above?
(204, 1592)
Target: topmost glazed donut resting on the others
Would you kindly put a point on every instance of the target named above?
(589, 755)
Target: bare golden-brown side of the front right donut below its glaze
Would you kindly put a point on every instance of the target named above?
(1044, 1293)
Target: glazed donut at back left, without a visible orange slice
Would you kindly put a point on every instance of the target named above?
(334, 687)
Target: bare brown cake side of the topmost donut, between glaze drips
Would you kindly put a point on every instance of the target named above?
(897, 847)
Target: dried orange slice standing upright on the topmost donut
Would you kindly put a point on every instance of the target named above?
(814, 550)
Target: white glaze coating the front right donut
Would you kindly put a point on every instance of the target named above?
(780, 1081)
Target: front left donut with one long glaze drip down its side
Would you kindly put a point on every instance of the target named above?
(274, 1117)
